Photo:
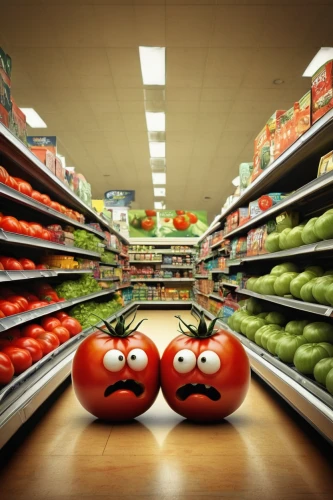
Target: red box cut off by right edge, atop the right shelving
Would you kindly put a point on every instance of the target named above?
(322, 91)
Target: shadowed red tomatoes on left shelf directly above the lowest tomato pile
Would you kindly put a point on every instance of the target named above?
(18, 301)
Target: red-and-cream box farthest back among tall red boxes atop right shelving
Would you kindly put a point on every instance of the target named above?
(264, 145)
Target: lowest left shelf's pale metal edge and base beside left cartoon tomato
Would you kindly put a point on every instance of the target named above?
(23, 396)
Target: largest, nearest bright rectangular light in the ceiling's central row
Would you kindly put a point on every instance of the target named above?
(152, 60)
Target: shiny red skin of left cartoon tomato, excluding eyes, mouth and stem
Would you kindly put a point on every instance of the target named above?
(90, 378)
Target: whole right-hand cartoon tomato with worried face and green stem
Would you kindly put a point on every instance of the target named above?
(205, 373)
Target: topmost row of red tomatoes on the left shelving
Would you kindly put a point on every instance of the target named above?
(26, 188)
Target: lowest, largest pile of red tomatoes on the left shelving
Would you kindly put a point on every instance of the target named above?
(20, 348)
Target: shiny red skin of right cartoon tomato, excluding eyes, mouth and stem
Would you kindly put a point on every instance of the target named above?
(231, 380)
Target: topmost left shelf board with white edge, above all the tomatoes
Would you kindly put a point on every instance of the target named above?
(17, 152)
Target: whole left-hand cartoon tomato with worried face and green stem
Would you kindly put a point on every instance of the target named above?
(115, 373)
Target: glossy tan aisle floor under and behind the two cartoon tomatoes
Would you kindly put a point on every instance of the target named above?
(262, 451)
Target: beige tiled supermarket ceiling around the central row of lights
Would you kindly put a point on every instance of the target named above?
(77, 63)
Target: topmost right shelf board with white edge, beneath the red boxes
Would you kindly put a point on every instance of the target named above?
(315, 139)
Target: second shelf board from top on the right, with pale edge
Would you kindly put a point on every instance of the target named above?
(306, 192)
